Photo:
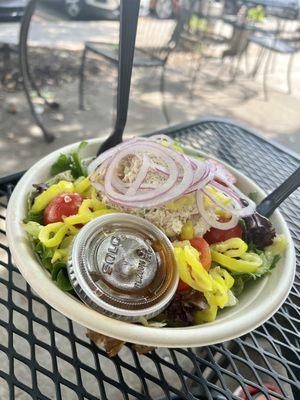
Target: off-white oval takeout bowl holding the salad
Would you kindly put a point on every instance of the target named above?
(258, 302)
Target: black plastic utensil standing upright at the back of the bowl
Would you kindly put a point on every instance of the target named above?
(128, 27)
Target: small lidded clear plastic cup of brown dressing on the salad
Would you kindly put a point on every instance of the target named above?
(123, 266)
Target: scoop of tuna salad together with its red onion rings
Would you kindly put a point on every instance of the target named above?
(154, 179)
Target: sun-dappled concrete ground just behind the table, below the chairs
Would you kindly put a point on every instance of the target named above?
(21, 143)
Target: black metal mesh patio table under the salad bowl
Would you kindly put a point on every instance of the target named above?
(43, 355)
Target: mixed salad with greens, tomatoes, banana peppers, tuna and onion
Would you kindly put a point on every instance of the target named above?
(220, 242)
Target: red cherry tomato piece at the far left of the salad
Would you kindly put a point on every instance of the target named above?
(62, 206)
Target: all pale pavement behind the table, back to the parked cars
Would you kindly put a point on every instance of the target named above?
(21, 143)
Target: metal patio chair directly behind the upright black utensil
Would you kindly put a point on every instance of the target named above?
(147, 53)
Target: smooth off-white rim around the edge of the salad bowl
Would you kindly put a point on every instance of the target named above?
(193, 336)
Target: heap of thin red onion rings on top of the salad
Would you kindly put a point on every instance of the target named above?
(182, 175)
